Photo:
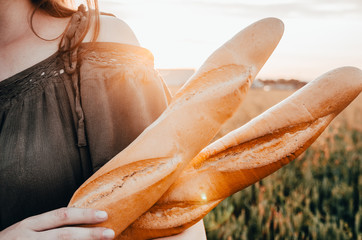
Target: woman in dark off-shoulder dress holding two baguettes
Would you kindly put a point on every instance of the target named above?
(67, 105)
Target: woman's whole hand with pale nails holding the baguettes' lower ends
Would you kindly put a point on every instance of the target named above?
(56, 225)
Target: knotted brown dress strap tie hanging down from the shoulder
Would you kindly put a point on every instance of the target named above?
(77, 30)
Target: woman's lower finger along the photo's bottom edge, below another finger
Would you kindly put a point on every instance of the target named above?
(77, 233)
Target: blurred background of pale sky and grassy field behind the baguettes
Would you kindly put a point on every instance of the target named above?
(317, 196)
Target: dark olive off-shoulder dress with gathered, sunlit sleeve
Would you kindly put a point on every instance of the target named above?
(55, 131)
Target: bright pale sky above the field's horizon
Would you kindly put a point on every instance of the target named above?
(320, 35)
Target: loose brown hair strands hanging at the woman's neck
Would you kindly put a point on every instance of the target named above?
(66, 8)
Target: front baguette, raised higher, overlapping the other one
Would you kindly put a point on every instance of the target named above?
(130, 183)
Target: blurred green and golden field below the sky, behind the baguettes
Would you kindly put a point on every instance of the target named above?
(317, 196)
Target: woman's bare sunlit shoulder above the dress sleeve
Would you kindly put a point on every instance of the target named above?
(113, 29)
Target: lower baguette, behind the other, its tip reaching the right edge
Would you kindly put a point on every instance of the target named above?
(249, 154)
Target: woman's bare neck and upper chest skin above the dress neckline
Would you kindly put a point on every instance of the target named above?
(20, 48)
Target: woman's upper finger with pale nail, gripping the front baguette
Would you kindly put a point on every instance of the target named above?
(65, 216)
